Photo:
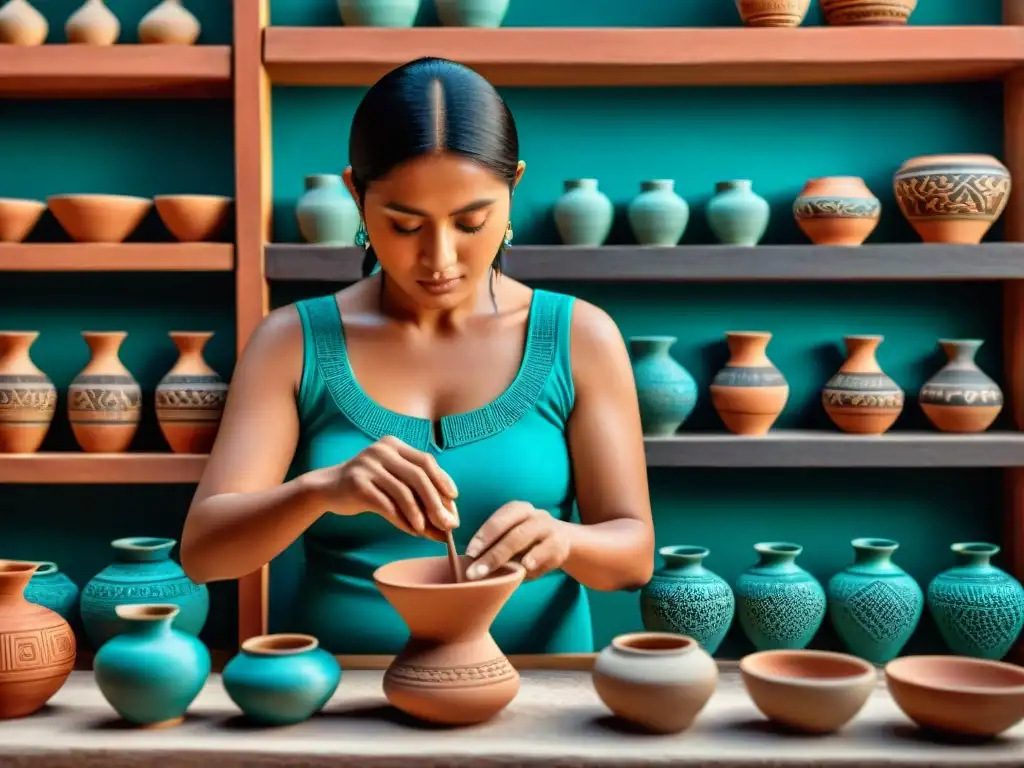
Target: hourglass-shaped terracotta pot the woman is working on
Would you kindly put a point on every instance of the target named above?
(451, 671)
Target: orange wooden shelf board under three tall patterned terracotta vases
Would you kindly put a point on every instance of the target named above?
(66, 468)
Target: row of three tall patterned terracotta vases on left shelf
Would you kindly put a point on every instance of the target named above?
(105, 401)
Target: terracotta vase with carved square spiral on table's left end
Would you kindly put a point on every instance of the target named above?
(38, 646)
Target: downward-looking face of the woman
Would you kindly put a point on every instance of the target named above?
(437, 225)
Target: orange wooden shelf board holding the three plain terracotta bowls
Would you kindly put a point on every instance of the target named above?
(127, 258)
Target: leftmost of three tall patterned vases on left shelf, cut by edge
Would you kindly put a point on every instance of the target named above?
(28, 398)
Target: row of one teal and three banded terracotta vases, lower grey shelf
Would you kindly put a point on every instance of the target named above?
(750, 393)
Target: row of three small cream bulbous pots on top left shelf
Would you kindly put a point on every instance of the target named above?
(95, 24)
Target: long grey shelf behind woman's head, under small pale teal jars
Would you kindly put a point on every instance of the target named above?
(994, 262)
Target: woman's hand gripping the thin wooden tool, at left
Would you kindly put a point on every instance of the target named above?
(402, 485)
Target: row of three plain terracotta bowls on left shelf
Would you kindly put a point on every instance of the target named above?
(111, 219)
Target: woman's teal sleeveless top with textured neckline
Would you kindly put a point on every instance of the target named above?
(514, 449)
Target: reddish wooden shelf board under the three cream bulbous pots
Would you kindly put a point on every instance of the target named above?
(117, 71)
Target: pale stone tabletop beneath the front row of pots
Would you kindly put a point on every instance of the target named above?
(558, 721)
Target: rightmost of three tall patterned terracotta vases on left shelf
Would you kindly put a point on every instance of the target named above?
(191, 398)
